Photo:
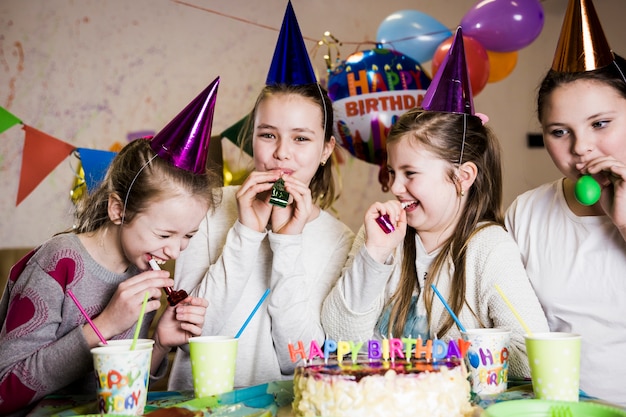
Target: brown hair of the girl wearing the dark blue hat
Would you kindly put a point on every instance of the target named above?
(324, 189)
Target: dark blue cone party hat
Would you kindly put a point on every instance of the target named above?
(291, 64)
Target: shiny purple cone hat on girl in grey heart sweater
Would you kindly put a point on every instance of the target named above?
(184, 142)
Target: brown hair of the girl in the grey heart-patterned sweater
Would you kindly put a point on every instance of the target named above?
(137, 176)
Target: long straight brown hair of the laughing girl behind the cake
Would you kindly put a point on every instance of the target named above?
(456, 138)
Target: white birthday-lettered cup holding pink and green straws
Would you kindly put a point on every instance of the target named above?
(122, 377)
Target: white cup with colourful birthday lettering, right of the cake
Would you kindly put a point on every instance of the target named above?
(487, 359)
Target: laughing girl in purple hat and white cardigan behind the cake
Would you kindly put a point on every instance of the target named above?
(445, 227)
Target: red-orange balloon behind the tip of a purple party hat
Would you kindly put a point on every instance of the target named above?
(475, 56)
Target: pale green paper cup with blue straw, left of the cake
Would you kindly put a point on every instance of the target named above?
(213, 360)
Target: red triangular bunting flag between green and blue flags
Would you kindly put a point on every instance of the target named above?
(42, 153)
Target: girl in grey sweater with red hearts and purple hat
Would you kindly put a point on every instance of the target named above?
(148, 206)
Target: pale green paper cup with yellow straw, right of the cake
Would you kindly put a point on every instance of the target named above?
(554, 360)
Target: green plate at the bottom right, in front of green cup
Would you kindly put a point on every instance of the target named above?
(544, 408)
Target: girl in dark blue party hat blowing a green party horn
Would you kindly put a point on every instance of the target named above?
(273, 231)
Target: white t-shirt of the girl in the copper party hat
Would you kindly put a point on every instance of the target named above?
(577, 266)
